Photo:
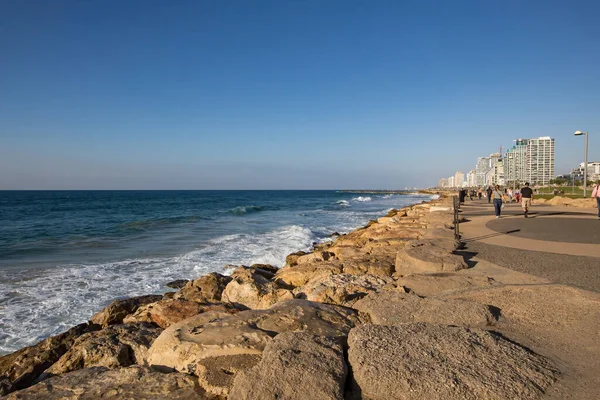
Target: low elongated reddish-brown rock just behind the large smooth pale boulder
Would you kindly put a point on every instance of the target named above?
(166, 312)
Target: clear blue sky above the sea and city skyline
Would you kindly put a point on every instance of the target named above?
(287, 94)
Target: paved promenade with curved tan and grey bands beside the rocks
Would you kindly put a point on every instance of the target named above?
(556, 244)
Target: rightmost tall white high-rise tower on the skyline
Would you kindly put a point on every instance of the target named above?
(540, 160)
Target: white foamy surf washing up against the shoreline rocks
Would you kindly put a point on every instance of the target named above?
(40, 305)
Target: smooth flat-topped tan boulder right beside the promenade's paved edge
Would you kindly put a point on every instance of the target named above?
(429, 256)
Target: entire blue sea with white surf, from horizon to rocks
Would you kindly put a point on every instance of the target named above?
(65, 255)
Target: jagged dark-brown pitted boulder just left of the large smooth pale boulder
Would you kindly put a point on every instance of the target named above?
(112, 347)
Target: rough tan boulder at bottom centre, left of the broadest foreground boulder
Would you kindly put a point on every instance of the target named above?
(292, 363)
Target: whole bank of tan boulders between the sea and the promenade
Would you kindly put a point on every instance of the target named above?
(384, 312)
